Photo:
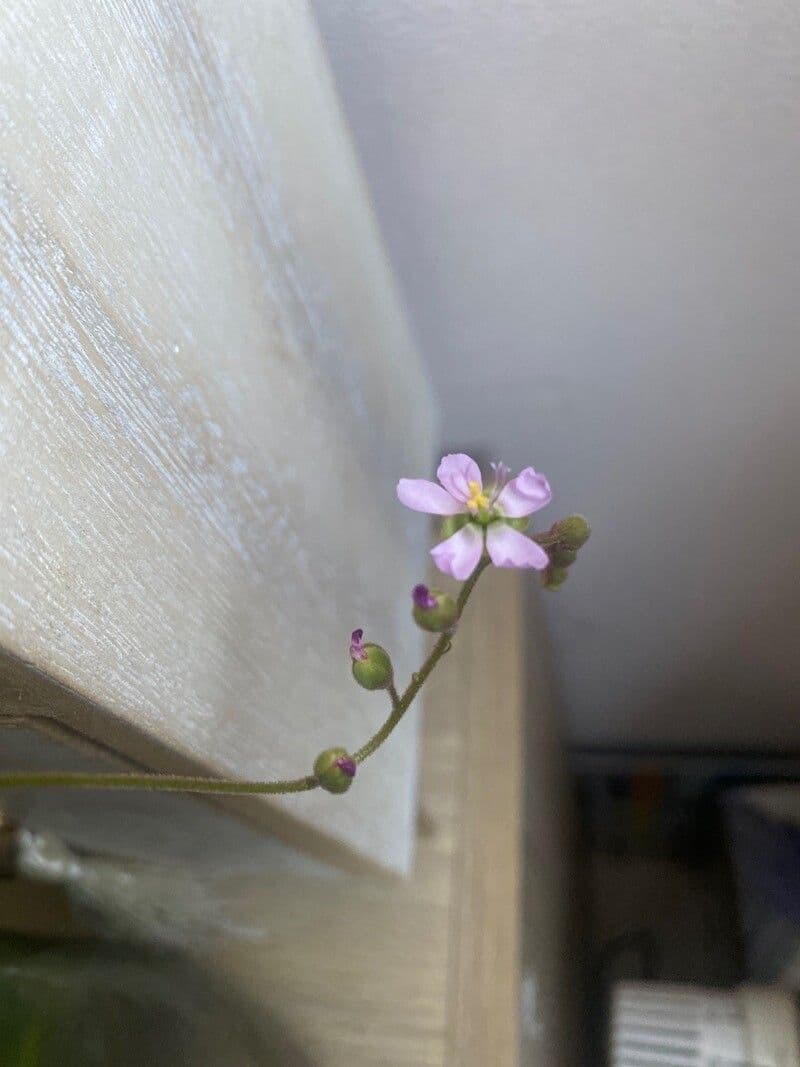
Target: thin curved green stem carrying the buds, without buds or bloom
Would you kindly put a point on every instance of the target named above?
(187, 784)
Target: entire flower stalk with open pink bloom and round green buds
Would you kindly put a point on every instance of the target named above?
(483, 527)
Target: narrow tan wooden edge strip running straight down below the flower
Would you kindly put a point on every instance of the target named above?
(487, 919)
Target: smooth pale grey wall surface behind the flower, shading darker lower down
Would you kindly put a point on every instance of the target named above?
(593, 211)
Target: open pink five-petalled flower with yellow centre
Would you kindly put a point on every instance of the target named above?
(461, 492)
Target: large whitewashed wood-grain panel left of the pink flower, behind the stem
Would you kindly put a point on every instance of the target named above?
(207, 392)
